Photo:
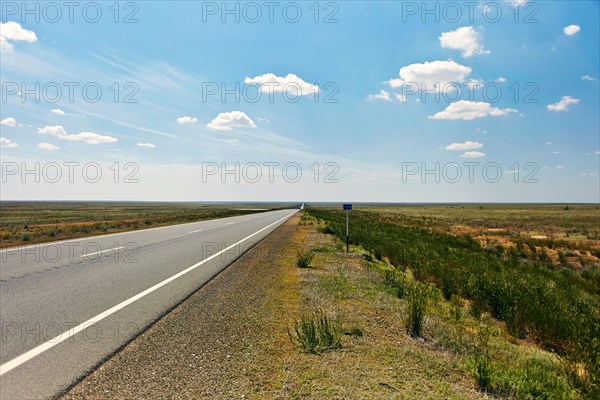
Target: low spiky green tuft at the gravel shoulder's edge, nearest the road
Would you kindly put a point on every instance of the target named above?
(316, 332)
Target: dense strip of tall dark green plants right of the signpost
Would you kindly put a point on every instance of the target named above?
(553, 307)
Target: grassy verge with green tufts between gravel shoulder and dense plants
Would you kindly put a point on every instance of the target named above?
(455, 355)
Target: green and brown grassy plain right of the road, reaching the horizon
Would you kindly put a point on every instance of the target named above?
(531, 272)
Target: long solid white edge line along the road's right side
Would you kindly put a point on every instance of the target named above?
(23, 358)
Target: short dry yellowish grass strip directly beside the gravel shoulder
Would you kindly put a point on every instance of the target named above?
(376, 359)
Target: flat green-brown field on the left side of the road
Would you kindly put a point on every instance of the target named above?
(36, 222)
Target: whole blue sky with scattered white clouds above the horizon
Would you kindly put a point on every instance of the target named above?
(534, 135)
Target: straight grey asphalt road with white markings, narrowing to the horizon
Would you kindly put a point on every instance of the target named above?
(67, 306)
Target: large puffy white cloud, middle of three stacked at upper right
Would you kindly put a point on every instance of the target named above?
(433, 75)
